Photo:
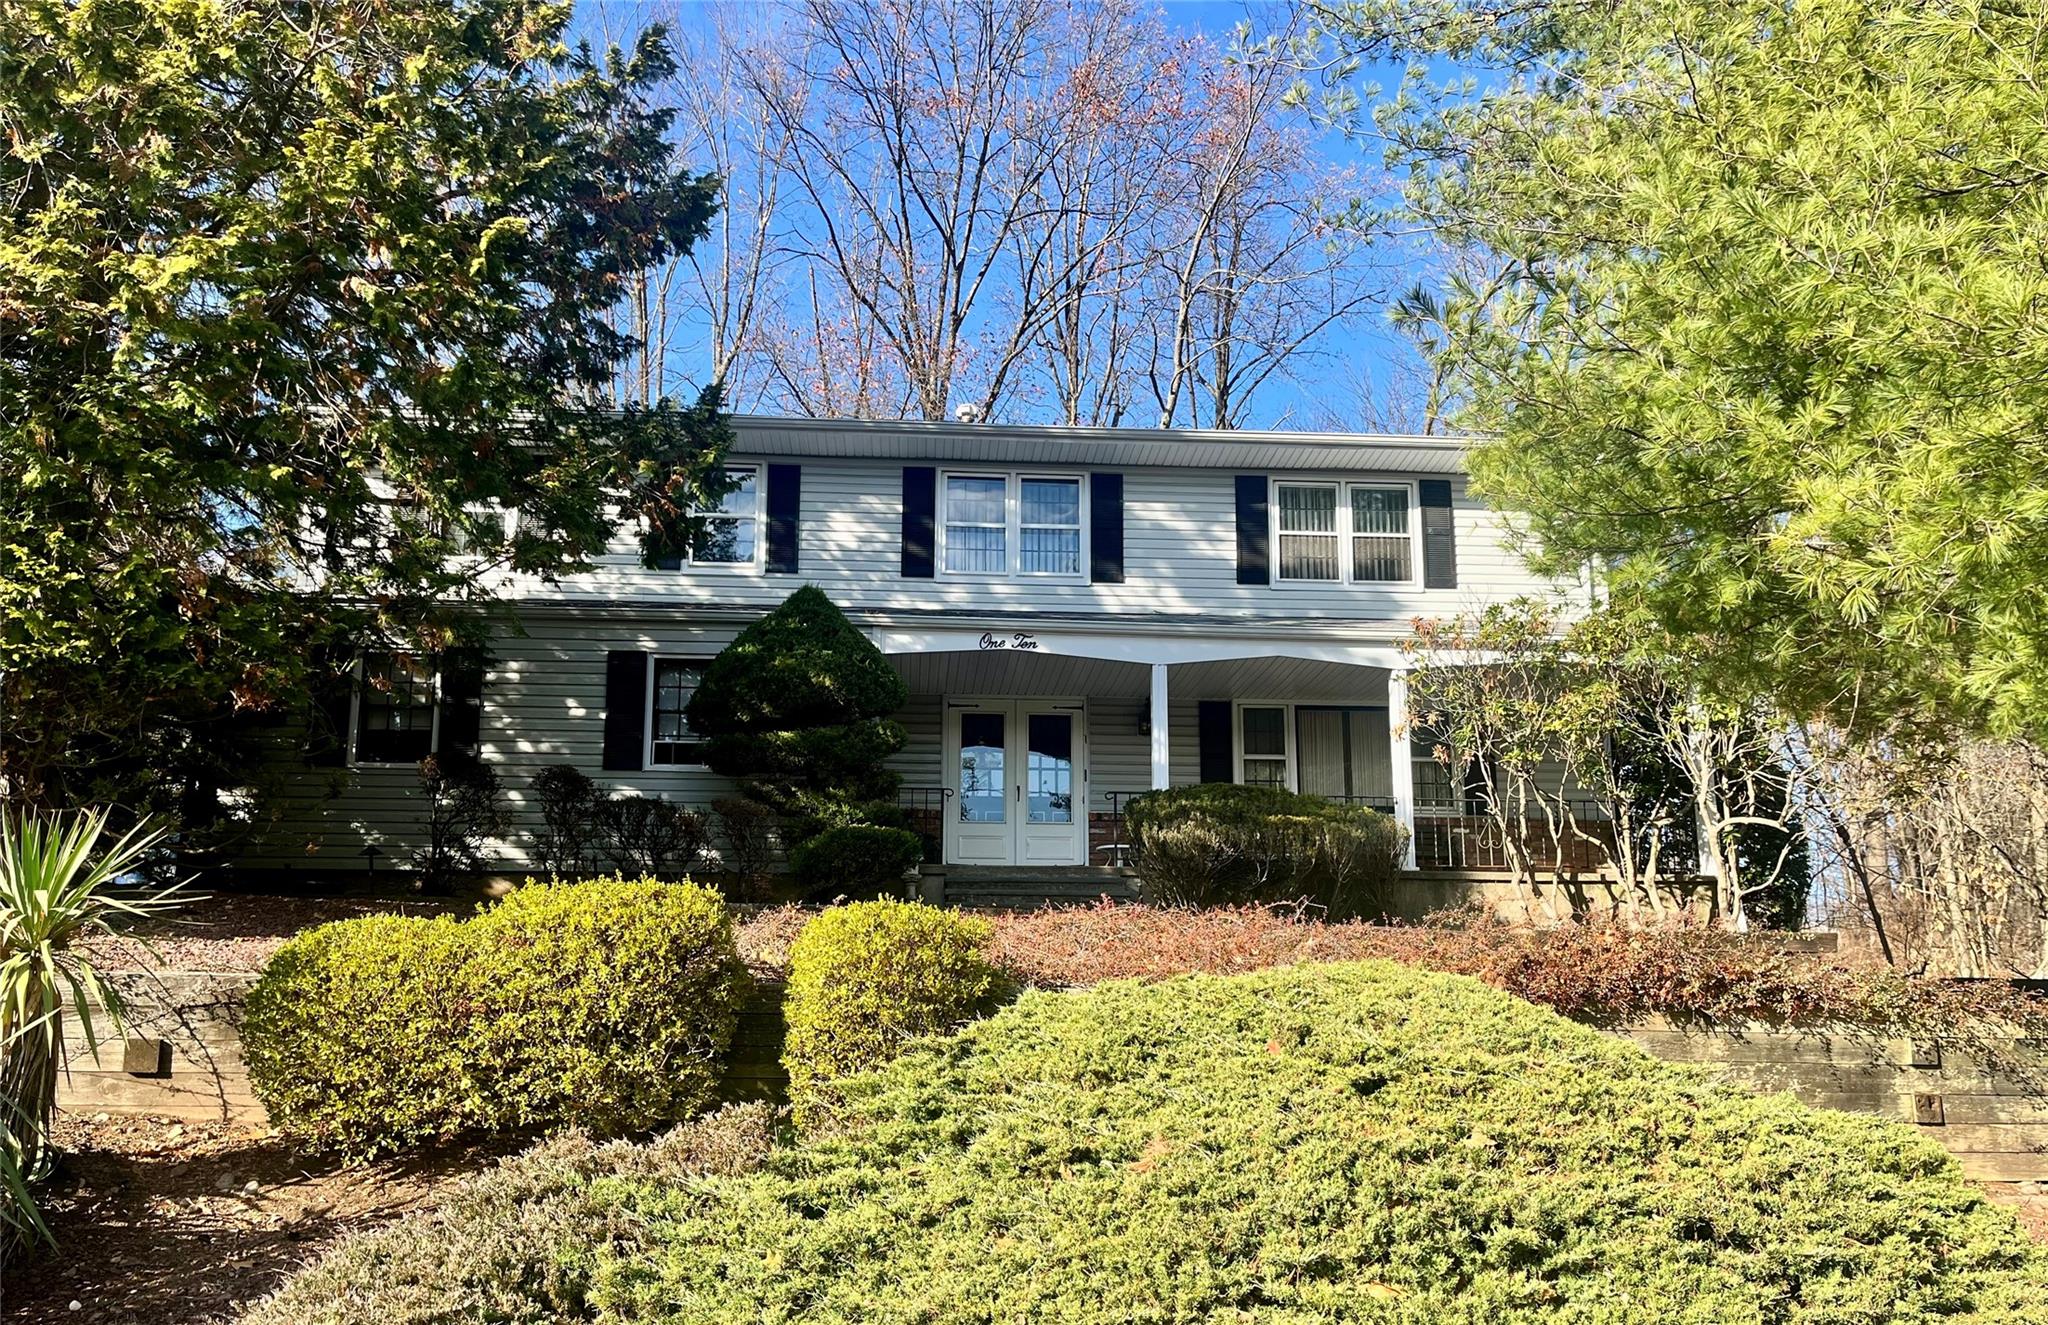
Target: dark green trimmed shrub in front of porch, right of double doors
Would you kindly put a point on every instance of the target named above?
(1226, 845)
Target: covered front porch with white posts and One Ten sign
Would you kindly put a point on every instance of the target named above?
(1029, 744)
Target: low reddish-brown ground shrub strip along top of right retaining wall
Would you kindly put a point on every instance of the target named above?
(1592, 974)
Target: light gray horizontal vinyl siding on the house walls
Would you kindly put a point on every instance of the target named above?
(544, 695)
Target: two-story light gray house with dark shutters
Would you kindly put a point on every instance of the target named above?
(1078, 613)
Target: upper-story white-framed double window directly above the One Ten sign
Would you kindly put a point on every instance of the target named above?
(1013, 525)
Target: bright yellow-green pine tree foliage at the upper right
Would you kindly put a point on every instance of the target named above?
(1752, 308)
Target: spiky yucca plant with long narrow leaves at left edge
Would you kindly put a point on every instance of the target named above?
(58, 886)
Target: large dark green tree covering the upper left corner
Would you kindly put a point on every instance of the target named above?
(298, 298)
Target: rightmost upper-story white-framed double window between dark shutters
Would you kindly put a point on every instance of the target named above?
(1330, 531)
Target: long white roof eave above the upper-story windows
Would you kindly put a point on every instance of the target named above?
(1117, 447)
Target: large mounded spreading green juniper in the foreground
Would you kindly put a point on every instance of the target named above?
(1320, 1144)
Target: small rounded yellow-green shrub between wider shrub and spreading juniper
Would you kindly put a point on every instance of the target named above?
(871, 976)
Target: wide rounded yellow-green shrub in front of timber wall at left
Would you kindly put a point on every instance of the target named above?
(605, 1005)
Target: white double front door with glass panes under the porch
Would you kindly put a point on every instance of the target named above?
(1019, 777)
